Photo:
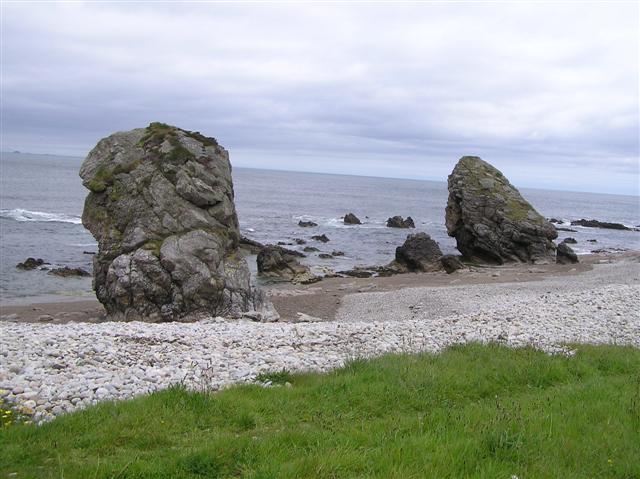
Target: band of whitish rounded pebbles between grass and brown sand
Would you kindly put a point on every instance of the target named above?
(51, 369)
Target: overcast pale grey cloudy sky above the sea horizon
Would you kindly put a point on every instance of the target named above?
(548, 92)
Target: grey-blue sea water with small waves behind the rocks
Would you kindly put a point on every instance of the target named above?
(41, 201)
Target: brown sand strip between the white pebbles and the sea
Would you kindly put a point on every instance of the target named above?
(321, 301)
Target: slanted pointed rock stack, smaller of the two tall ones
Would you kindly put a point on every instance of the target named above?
(491, 221)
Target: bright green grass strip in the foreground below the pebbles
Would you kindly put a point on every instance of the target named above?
(471, 411)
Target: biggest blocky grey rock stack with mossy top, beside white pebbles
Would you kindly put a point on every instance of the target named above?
(161, 208)
